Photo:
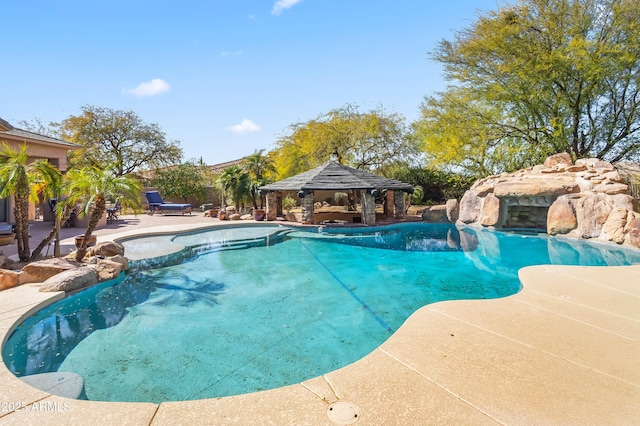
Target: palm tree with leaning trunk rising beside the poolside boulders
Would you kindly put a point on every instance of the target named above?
(91, 187)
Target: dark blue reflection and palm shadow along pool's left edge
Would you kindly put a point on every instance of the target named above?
(42, 343)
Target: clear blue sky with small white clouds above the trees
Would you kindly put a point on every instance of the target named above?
(224, 78)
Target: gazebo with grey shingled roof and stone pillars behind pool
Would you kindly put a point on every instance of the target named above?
(333, 176)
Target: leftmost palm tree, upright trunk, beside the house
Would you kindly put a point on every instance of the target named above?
(24, 179)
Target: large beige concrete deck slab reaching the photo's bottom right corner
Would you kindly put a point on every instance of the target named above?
(513, 382)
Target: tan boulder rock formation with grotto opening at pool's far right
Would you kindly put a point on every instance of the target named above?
(588, 199)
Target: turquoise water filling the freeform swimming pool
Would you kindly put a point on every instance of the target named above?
(252, 308)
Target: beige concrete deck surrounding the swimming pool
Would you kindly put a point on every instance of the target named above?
(565, 350)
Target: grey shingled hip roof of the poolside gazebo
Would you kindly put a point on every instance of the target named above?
(337, 177)
